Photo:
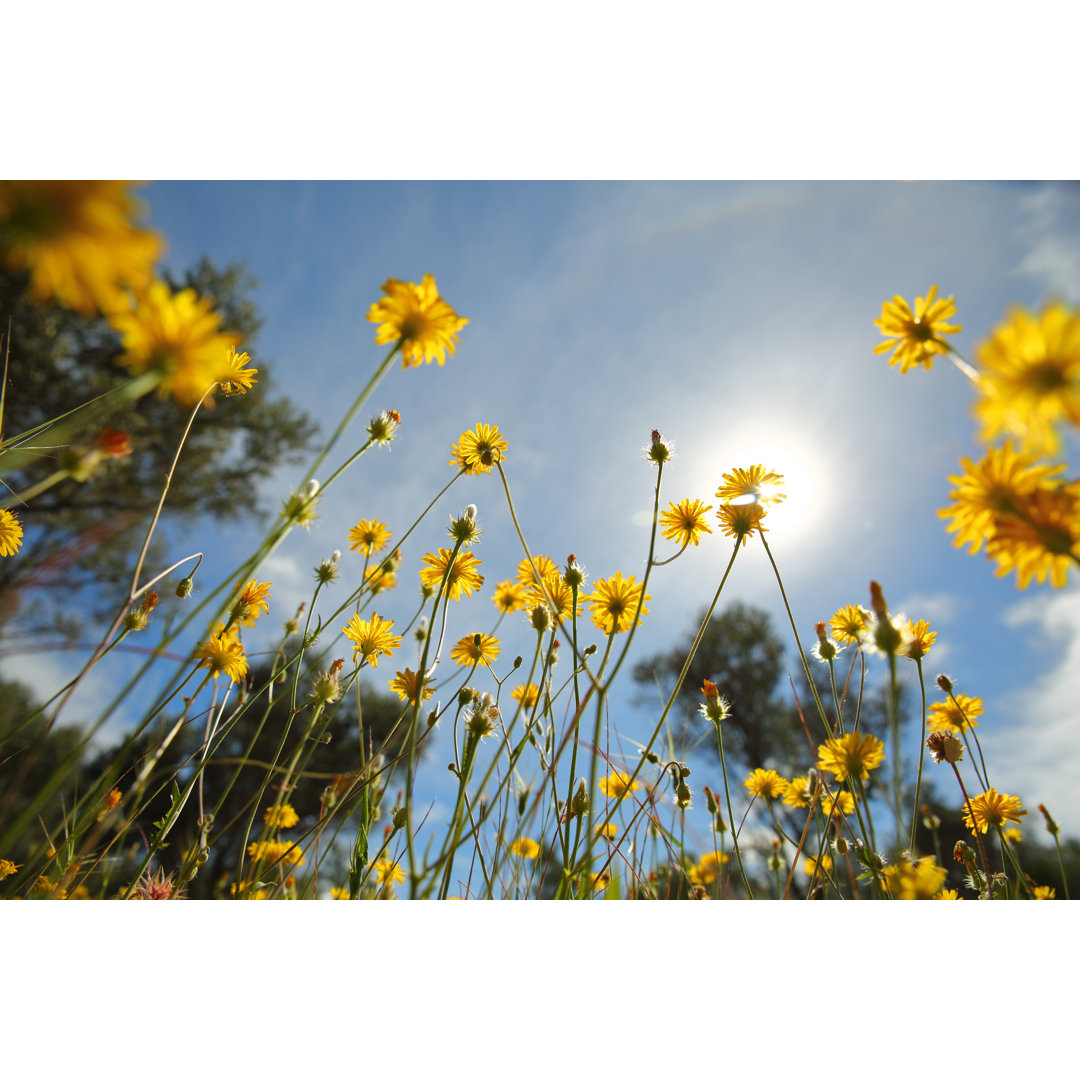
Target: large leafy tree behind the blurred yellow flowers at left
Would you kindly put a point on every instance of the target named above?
(80, 537)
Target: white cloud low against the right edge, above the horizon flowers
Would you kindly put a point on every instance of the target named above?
(1037, 754)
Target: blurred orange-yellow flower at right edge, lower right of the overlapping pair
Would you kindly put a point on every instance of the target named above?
(1044, 542)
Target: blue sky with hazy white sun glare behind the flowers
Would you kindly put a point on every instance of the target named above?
(736, 318)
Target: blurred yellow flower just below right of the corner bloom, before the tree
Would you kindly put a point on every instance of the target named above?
(178, 336)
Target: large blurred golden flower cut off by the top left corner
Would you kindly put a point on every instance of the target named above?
(77, 241)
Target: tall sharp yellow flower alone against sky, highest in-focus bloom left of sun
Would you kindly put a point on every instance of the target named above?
(418, 318)
